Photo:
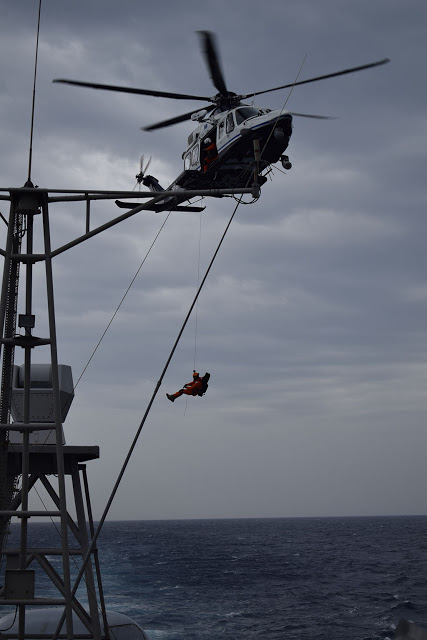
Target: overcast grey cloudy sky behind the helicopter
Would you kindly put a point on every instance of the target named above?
(313, 320)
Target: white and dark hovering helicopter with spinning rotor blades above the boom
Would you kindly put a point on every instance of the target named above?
(234, 144)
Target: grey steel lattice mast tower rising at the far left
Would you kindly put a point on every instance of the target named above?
(33, 443)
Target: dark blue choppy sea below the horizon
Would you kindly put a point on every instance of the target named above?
(270, 579)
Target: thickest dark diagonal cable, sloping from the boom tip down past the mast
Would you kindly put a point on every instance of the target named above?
(141, 425)
